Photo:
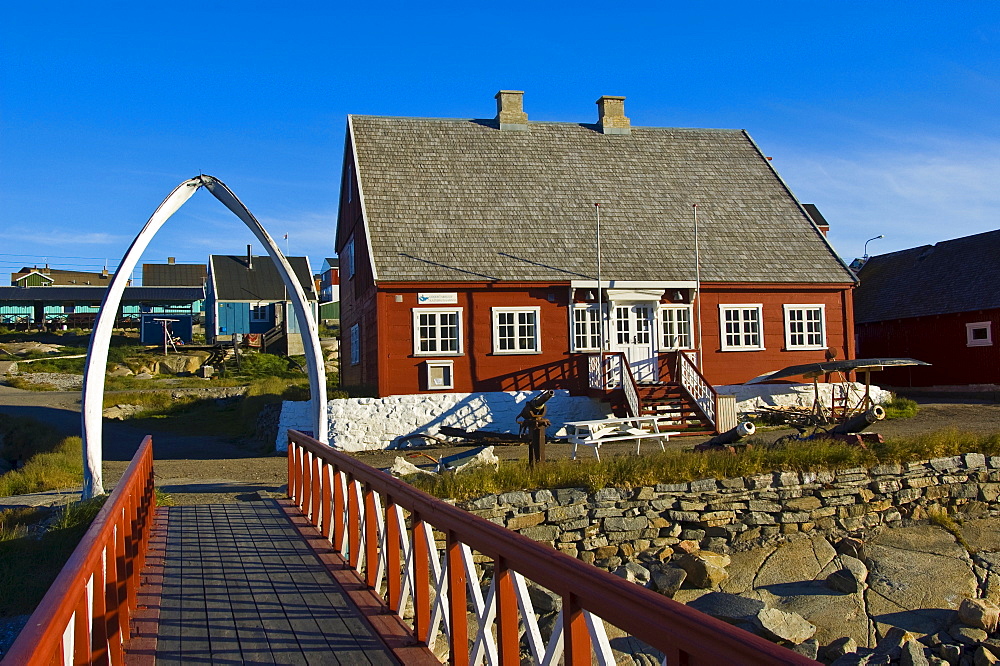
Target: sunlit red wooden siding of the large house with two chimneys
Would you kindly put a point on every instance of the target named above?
(390, 361)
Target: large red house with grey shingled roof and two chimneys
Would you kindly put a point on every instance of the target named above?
(469, 254)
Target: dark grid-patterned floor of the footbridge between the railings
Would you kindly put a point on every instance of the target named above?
(241, 585)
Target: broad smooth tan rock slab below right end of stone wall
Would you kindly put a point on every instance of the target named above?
(917, 577)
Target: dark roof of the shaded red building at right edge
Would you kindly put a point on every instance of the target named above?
(959, 275)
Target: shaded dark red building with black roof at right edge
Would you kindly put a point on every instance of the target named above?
(936, 303)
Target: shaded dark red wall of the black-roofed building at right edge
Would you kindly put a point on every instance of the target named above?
(940, 340)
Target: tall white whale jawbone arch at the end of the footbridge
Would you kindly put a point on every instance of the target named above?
(100, 339)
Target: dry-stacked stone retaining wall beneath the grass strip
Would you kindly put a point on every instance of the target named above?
(612, 525)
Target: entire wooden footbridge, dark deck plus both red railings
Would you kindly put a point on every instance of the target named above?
(354, 567)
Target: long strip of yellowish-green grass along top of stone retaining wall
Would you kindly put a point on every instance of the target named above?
(679, 466)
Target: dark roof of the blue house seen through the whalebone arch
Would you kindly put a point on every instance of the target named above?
(233, 282)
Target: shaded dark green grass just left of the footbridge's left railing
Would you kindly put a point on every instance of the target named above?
(28, 566)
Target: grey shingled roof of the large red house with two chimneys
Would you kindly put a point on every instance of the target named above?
(462, 200)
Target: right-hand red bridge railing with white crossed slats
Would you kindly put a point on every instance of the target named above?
(450, 574)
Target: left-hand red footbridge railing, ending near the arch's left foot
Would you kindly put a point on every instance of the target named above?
(84, 617)
